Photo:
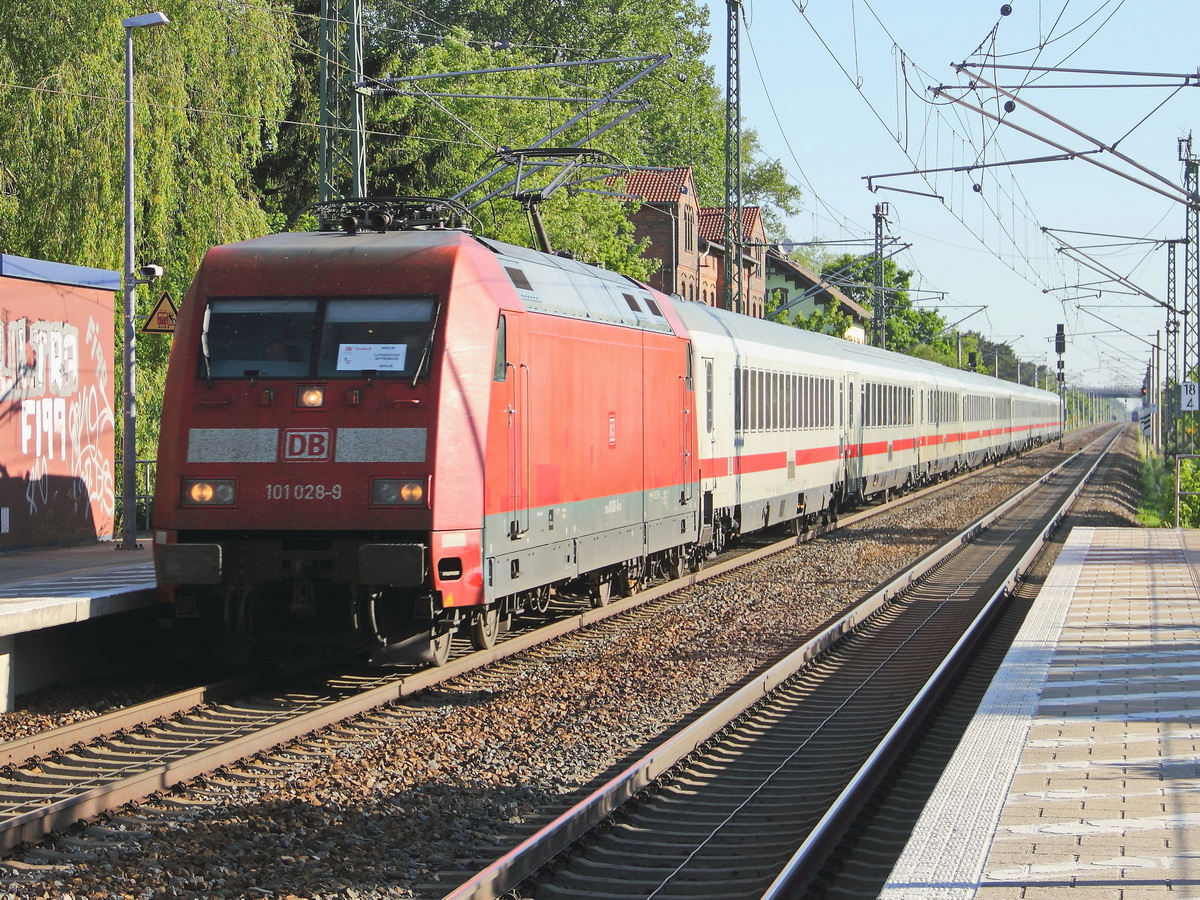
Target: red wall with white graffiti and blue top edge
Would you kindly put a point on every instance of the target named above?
(57, 404)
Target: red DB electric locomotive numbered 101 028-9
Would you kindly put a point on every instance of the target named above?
(375, 436)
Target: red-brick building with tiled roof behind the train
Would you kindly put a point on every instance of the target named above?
(689, 239)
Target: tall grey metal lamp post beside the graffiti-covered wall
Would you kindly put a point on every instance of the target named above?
(129, 417)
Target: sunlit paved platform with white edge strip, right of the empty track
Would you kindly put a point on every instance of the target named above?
(1079, 776)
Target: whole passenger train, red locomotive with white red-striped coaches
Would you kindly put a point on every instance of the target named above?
(395, 431)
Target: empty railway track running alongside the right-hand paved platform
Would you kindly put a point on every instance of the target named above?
(752, 800)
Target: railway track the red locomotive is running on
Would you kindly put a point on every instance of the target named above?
(53, 781)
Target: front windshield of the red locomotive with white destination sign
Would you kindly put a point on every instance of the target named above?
(316, 338)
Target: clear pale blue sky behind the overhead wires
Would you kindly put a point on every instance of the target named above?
(838, 91)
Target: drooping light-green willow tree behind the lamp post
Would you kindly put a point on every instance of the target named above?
(209, 91)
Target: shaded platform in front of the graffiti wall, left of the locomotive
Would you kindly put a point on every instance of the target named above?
(43, 590)
